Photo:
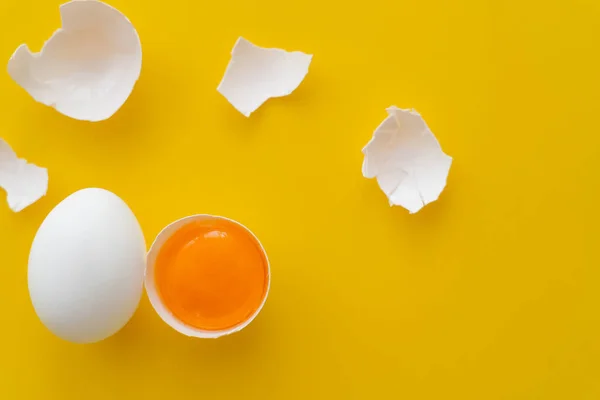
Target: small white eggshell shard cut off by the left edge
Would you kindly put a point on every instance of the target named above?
(23, 182)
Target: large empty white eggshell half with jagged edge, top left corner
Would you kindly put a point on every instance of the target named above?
(88, 68)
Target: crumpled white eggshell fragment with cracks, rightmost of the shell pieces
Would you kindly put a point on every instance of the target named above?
(407, 160)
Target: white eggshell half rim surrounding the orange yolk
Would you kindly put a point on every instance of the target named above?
(153, 293)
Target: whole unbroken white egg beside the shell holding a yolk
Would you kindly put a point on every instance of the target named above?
(86, 266)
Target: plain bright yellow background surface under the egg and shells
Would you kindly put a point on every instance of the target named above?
(490, 293)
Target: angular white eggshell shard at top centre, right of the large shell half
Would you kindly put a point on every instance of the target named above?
(256, 74)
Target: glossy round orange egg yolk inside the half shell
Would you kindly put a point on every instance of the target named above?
(212, 274)
